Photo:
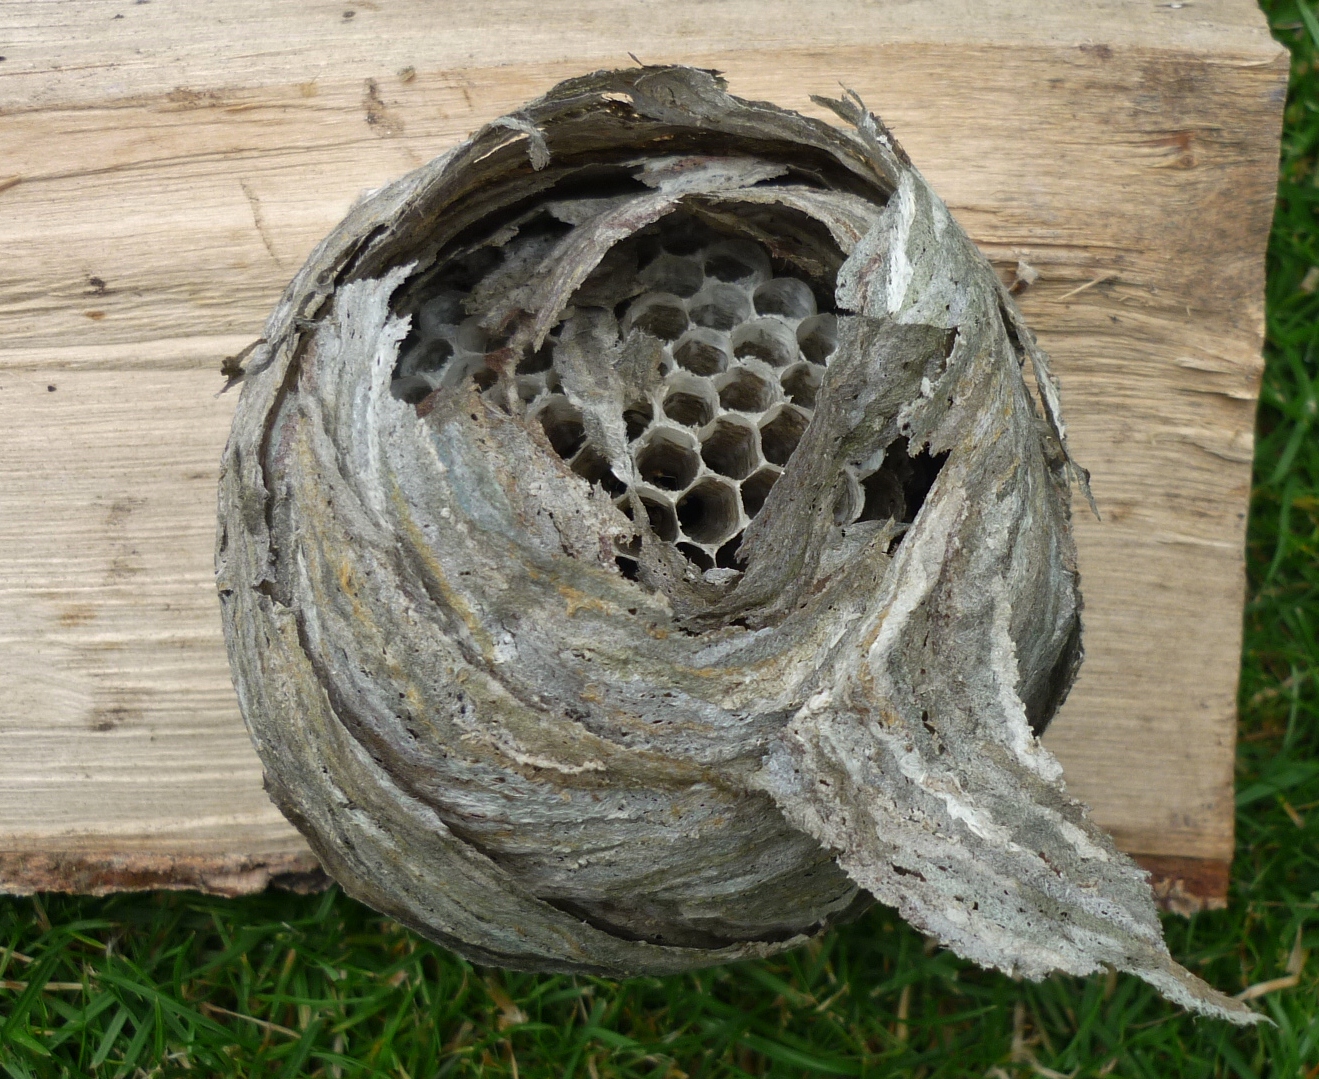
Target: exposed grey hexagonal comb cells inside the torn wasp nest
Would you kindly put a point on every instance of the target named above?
(745, 349)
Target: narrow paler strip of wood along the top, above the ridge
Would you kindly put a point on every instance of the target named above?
(96, 51)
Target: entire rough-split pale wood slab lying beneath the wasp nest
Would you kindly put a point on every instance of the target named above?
(166, 173)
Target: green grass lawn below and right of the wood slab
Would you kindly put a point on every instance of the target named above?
(283, 986)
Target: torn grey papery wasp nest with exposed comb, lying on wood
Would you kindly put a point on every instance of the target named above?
(640, 549)
